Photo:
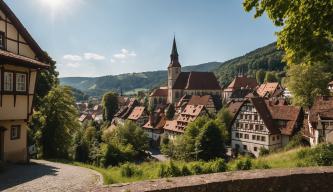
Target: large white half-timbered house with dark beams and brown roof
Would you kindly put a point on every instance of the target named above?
(259, 122)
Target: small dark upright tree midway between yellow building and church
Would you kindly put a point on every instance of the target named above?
(110, 105)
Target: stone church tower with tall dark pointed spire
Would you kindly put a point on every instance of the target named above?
(174, 70)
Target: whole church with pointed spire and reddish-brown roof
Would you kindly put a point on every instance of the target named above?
(184, 83)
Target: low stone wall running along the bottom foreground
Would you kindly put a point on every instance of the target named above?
(313, 179)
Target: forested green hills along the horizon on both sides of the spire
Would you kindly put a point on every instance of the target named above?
(266, 58)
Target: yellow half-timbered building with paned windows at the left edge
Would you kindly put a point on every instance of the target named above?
(20, 61)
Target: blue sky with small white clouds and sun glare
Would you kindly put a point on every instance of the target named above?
(90, 38)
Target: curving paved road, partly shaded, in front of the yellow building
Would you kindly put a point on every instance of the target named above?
(43, 175)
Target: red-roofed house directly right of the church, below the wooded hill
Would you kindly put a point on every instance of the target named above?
(239, 88)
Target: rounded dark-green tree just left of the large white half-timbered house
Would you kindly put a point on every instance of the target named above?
(211, 141)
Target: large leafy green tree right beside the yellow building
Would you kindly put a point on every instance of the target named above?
(56, 122)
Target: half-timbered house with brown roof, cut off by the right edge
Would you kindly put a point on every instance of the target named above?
(319, 124)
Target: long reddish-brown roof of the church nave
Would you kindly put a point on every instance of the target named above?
(196, 81)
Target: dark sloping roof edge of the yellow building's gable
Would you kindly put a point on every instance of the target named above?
(23, 31)
